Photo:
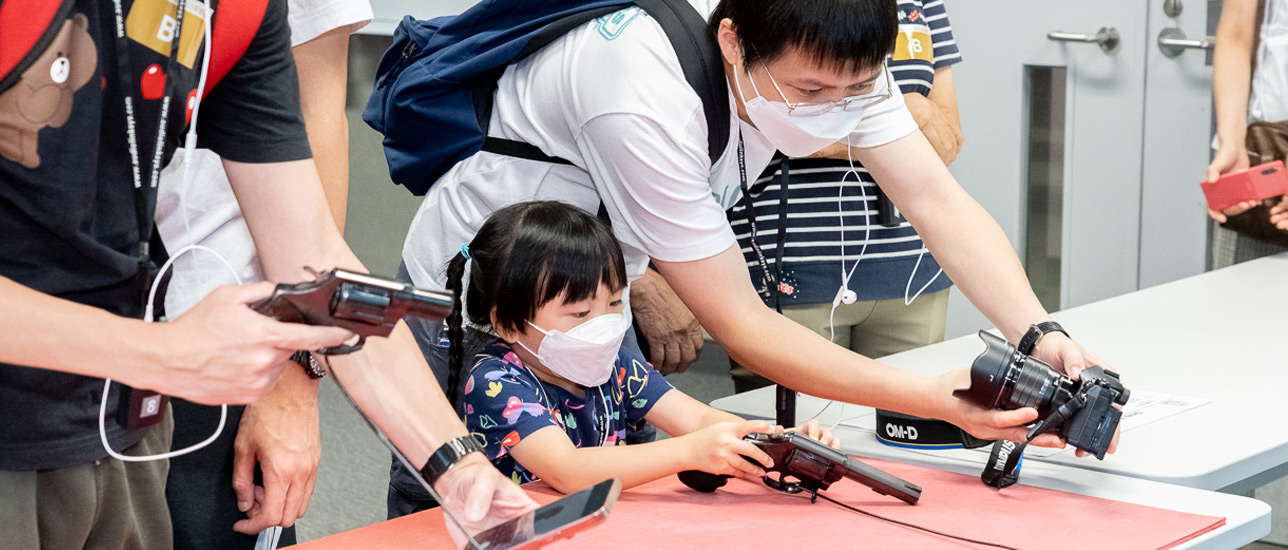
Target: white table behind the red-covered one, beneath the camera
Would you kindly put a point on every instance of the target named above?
(1220, 336)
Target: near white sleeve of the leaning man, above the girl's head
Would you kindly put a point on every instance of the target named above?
(654, 182)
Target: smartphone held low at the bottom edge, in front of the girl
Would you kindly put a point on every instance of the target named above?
(560, 520)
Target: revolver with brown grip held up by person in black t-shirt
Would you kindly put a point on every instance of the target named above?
(365, 305)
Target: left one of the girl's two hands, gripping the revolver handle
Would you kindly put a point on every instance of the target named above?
(719, 449)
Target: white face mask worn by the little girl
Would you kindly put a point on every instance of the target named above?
(587, 354)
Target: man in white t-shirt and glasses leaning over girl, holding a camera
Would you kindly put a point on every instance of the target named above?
(611, 99)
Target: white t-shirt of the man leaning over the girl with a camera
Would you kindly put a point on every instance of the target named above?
(611, 99)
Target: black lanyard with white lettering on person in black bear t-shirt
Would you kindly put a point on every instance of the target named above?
(145, 198)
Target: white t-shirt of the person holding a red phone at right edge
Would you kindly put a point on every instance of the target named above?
(1269, 101)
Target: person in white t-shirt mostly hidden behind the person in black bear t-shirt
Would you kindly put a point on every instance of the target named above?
(213, 497)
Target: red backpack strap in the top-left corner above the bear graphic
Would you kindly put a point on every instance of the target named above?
(26, 30)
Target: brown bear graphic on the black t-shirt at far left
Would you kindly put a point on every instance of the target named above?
(43, 99)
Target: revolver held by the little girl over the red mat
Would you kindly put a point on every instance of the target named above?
(815, 467)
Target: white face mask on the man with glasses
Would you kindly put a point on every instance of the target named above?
(797, 136)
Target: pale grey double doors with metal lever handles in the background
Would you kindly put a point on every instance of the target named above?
(1085, 142)
